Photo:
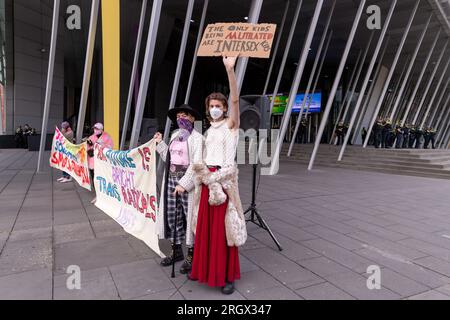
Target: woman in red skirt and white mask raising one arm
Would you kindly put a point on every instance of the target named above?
(220, 223)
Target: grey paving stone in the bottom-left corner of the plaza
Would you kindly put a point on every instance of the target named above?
(29, 285)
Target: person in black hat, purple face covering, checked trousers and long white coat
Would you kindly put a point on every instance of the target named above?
(177, 196)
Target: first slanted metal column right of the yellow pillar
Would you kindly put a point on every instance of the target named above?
(133, 74)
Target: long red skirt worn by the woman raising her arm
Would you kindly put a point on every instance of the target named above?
(214, 263)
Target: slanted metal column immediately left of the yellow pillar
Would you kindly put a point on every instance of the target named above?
(87, 69)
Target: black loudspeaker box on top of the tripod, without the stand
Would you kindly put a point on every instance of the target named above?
(255, 112)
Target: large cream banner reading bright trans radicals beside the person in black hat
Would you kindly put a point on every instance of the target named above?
(125, 183)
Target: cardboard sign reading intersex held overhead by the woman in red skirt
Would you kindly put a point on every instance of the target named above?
(231, 39)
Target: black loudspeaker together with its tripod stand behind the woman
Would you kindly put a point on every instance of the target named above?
(255, 114)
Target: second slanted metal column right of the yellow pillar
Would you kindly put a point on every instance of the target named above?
(146, 69)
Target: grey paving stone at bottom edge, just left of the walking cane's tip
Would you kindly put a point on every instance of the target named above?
(139, 278)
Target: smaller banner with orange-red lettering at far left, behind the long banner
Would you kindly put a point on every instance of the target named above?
(70, 158)
